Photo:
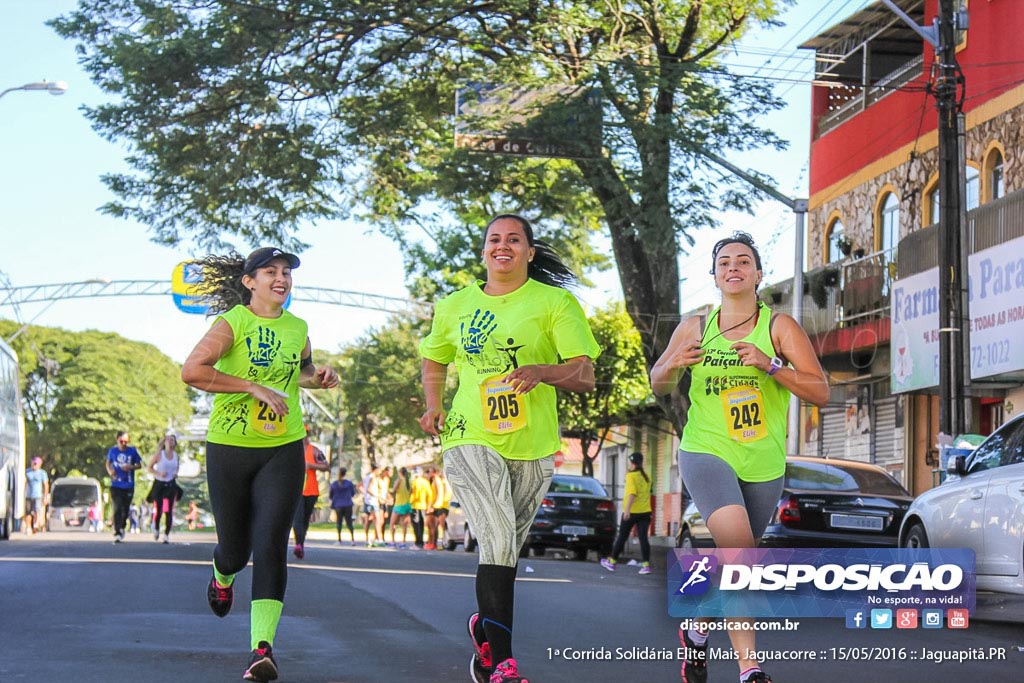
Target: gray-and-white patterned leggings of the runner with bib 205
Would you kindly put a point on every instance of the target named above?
(500, 497)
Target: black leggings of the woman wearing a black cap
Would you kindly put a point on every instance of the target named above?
(253, 495)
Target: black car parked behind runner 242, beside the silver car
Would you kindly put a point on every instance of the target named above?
(825, 504)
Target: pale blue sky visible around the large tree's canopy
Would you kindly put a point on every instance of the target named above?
(52, 162)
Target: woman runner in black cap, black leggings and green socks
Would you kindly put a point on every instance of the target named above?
(254, 358)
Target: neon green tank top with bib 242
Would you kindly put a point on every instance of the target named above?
(738, 412)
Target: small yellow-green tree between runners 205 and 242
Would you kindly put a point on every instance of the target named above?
(622, 386)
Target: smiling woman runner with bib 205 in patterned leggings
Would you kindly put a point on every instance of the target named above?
(515, 338)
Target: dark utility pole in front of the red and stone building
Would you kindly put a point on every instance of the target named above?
(954, 316)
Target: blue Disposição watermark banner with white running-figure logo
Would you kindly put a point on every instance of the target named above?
(822, 582)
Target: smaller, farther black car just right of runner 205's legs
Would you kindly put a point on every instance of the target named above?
(577, 515)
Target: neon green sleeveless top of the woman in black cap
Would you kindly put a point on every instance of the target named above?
(267, 351)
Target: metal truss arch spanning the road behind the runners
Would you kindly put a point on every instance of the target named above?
(101, 288)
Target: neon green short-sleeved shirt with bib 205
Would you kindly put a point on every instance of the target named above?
(488, 337)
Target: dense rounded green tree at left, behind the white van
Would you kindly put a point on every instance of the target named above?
(80, 389)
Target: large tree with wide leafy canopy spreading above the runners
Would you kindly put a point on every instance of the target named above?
(251, 118)
